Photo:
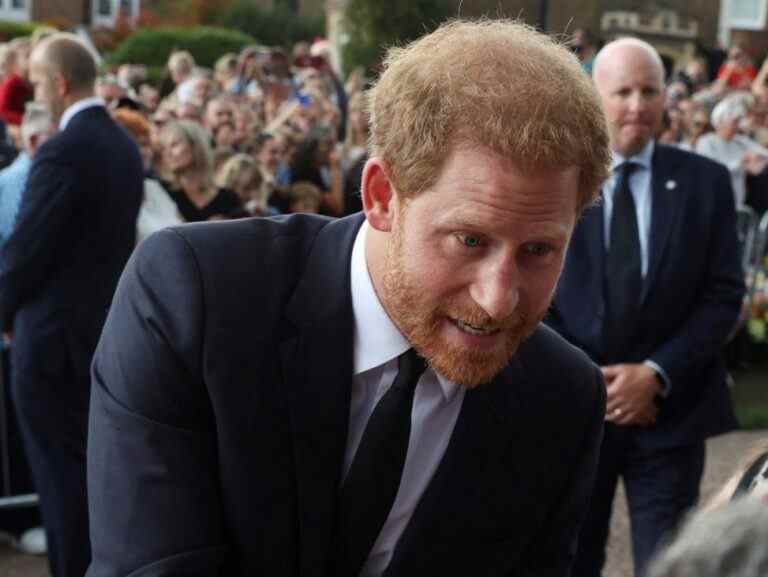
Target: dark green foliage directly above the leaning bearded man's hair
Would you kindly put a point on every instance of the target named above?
(372, 26)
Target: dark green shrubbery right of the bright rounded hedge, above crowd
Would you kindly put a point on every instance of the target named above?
(276, 27)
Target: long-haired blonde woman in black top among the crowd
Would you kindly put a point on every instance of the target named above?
(187, 171)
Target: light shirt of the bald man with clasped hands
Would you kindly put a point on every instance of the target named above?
(640, 185)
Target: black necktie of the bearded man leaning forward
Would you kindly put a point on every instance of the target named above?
(374, 477)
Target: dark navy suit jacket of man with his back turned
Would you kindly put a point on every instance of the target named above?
(59, 268)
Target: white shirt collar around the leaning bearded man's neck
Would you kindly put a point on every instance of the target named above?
(376, 340)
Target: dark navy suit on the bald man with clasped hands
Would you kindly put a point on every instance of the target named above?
(690, 300)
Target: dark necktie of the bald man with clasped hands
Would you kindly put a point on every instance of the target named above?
(623, 270)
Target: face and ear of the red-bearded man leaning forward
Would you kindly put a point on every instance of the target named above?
(484, 245)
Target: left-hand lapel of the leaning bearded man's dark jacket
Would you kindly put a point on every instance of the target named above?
(317, 365)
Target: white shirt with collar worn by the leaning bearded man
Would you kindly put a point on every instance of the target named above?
(436, 406)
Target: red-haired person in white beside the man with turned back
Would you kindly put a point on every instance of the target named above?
(157, 209)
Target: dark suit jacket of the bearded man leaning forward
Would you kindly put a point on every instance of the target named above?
(219, 411)
